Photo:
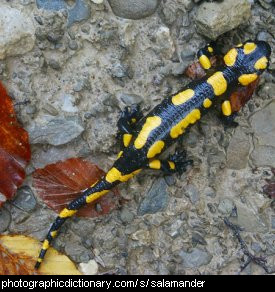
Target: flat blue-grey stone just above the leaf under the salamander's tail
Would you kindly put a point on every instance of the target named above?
(57, 131)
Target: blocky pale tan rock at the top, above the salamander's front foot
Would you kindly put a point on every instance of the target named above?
(215, 18)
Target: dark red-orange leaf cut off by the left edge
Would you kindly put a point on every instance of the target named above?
(14, 149)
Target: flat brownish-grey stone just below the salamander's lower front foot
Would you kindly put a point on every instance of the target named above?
(238, 150)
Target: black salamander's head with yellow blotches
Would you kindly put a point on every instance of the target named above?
(250, 58)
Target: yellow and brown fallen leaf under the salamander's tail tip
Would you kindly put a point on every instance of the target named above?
(18, 255)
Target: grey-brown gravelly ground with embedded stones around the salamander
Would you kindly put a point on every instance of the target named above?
(71, 66)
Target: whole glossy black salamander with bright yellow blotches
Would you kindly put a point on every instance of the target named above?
(145, 137)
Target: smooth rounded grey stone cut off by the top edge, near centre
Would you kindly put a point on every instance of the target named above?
(133, 9)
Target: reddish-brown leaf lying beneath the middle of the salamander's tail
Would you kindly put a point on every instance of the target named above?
(60, 183)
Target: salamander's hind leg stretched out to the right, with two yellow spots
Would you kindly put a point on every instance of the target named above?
(176, 162)
